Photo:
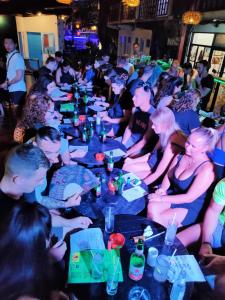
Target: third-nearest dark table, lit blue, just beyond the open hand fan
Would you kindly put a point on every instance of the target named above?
(96, 146)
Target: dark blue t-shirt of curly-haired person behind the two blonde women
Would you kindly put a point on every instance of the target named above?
(187, 120)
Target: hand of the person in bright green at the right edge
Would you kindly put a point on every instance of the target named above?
(215, 264)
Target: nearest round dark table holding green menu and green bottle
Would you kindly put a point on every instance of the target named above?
(131, 226)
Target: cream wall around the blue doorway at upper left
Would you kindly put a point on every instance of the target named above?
(41, 24)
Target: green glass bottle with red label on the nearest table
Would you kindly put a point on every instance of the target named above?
(137, 262)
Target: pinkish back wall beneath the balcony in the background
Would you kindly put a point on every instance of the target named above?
(127, 37)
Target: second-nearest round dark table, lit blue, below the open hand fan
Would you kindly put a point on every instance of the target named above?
(93, 207)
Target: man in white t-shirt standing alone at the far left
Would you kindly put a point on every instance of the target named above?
(15, 66)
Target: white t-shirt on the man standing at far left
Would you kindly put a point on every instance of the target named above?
(15, 62)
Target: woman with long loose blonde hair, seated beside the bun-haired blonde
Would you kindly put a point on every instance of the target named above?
(171, 141)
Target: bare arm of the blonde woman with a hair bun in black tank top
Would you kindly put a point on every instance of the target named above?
(202, 182)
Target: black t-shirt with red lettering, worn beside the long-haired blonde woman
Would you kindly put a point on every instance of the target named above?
(141, 120)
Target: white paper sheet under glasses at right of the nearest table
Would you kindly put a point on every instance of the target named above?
(189, 264)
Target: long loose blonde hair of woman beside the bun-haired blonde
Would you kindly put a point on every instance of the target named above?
(165, 116)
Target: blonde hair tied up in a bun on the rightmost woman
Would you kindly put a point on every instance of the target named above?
(210, 136)
